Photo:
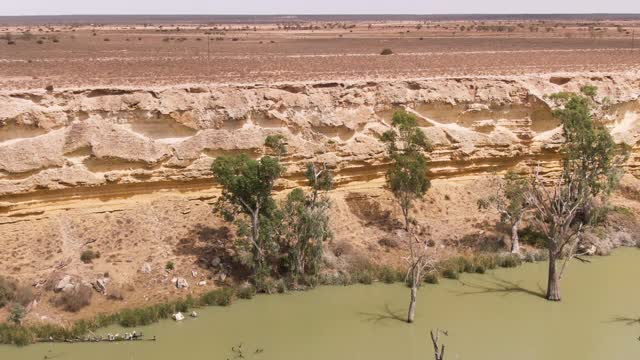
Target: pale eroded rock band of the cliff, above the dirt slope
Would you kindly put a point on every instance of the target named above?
(86, 138)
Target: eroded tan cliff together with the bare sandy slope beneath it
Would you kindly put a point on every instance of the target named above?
(126, 171)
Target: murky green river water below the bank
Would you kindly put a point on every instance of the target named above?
(499, 315)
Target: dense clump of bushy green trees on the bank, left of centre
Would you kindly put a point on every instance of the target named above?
(274, 239)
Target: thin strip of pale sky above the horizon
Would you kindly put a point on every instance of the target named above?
(221, 7)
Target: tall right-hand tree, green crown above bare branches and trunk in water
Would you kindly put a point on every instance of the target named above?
(591, 167)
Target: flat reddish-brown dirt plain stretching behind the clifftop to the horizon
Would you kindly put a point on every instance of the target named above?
(66, 55)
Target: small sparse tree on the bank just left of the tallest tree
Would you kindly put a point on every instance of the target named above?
(510, 202)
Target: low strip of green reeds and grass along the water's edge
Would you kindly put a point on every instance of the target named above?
(367, 274)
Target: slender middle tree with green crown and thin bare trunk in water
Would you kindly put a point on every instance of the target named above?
(407, 180)
